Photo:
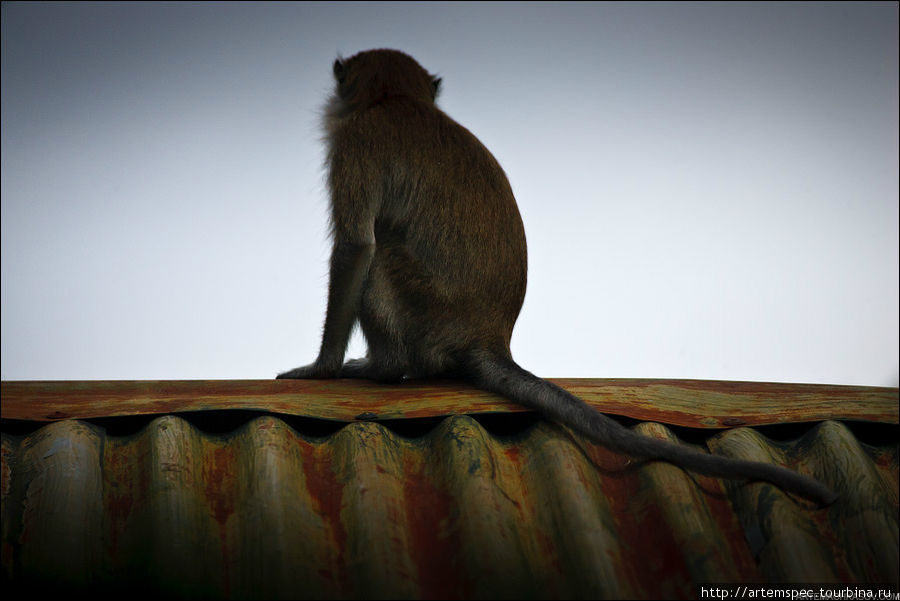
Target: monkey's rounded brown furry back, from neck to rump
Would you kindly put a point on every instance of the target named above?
(449, 241)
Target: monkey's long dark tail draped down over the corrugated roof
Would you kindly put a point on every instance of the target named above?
(503, 376)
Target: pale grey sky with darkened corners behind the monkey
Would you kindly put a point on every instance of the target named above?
(709, 190)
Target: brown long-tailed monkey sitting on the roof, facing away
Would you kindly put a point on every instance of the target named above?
(429, 258)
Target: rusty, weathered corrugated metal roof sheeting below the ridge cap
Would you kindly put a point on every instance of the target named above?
(462, 509)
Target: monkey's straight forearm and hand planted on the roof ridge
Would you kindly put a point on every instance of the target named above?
(349, 266)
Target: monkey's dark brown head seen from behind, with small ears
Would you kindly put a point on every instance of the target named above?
(370, 76)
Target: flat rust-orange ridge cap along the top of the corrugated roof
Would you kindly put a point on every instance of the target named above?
(691, 403)
